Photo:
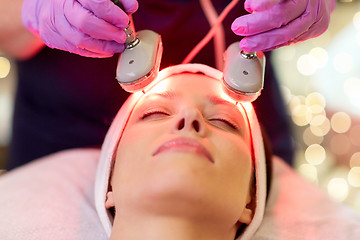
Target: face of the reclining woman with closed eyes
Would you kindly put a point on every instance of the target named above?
(185, 151)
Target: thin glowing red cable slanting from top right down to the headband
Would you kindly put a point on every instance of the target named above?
(210, 34)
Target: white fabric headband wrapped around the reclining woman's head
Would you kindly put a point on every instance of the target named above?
(114, 134)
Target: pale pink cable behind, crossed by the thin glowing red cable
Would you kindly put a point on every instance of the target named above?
(219, 38)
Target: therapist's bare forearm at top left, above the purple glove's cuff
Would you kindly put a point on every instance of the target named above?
(15, 40)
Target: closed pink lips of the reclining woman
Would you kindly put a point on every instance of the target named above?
(184, 145)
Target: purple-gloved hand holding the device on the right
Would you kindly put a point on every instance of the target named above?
(276, 23)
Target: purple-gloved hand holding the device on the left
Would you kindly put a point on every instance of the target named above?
(91, 28)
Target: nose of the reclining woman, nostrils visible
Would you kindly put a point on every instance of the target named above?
(190, 120)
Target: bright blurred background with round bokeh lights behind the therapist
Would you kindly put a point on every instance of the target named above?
(320, 79)
